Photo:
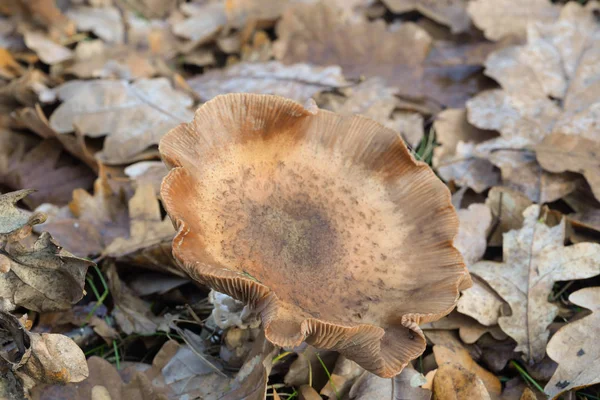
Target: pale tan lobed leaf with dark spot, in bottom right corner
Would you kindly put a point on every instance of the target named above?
(574, 347)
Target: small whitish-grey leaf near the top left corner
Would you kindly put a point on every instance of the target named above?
(105, 22)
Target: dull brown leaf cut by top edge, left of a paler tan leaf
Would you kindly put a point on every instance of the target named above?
(452, 13)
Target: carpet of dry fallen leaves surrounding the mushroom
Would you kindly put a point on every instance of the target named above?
(501, 98)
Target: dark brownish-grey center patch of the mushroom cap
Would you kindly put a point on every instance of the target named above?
(292, 234)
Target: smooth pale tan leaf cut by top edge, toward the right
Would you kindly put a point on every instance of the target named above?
(502, 18)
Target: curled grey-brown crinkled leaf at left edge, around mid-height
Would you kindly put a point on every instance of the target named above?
(42, 278)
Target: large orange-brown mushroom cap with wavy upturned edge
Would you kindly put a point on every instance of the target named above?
(323, 223)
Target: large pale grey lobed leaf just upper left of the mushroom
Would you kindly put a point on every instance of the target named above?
(134, 116)
